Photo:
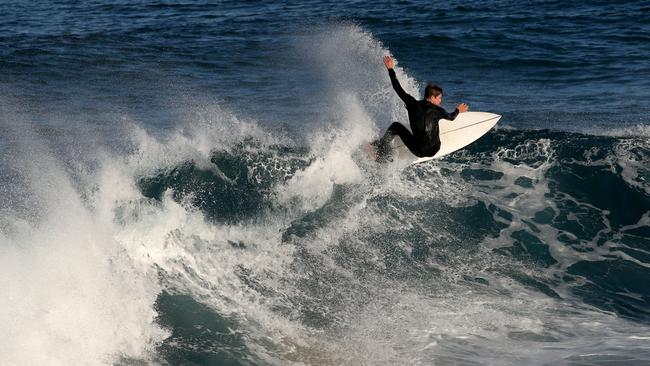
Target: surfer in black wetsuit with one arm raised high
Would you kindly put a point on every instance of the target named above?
(424, 115)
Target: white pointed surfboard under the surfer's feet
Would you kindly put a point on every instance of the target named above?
(454, 135)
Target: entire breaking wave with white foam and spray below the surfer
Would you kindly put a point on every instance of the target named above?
(224, 239)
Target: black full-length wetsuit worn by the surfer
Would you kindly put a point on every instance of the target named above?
(423, 118)
